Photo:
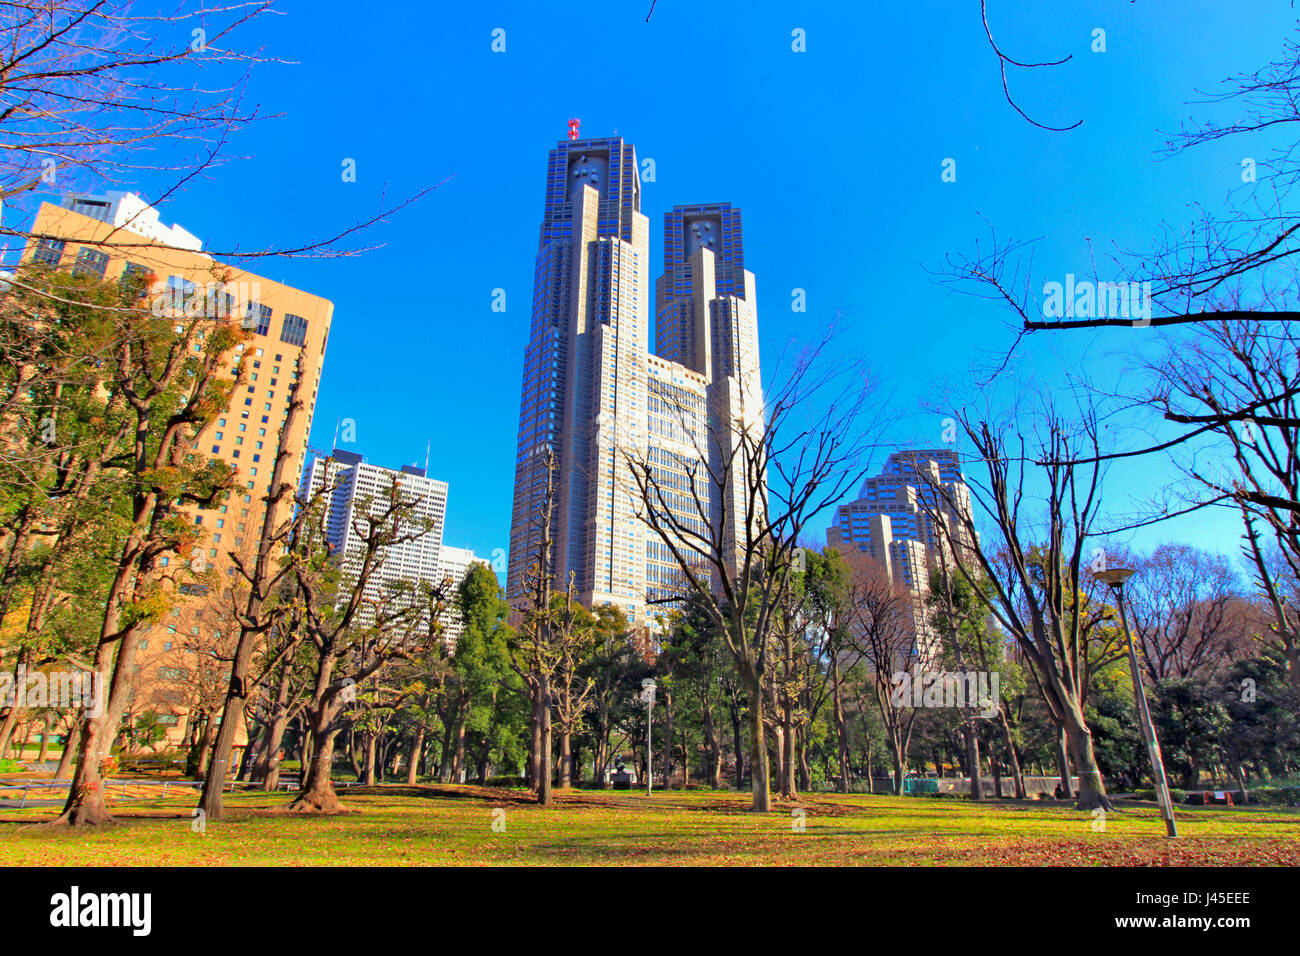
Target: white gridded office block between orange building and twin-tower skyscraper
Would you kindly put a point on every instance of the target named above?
(350, 491)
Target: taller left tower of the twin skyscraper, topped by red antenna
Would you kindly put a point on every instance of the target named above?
(584, 375)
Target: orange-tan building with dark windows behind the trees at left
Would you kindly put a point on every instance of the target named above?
(114, 233)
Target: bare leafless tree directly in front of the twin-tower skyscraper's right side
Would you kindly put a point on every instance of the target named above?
(786, 460)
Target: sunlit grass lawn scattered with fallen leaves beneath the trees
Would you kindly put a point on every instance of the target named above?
(453, 825)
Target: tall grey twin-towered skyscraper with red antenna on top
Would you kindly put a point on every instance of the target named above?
(597, 396)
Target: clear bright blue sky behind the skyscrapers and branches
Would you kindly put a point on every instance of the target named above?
(835, 157)
